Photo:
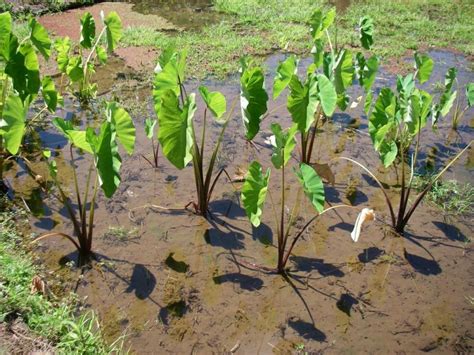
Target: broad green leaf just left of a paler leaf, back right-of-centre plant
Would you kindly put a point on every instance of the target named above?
(303, 102)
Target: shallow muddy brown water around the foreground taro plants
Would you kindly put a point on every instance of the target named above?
(173, 282)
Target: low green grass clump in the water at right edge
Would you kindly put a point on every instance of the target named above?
(450, 195)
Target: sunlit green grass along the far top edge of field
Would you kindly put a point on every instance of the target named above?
(258, 28)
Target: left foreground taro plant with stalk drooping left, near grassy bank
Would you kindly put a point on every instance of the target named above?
(103, 170)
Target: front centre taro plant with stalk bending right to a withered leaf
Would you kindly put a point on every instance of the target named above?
(256, 186)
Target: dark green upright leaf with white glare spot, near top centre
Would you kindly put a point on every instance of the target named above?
(253, 100)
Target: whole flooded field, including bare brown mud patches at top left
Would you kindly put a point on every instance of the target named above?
(170, 281)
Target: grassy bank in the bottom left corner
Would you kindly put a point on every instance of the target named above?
(47, 316)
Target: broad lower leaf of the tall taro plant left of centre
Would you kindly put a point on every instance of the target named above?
(176, 130)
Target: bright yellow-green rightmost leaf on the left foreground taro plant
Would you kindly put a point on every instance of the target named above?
(123, 126)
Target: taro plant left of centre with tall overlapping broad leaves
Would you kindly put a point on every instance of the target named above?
(177, 133)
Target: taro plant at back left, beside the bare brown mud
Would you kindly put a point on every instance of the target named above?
(77, 62)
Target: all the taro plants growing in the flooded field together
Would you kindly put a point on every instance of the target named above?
(396, 120)
